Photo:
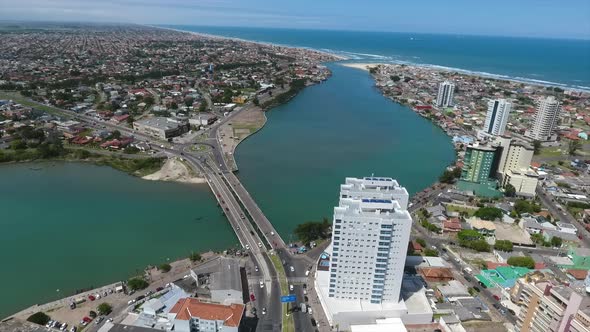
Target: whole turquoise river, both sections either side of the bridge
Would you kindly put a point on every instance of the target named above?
(68, 226)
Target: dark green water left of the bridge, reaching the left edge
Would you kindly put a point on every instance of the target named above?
(70, 226)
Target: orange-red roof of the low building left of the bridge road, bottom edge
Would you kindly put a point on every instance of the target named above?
(185, 308)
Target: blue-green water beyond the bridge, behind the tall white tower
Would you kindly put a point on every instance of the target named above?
(343, 127)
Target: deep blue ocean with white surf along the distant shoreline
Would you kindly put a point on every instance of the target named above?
(560, 62)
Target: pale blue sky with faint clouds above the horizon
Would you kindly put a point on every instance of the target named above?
(531, 18)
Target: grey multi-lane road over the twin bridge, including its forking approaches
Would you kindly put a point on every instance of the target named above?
(218, 179)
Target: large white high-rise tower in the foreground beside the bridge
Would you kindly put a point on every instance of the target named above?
(371, 230)
